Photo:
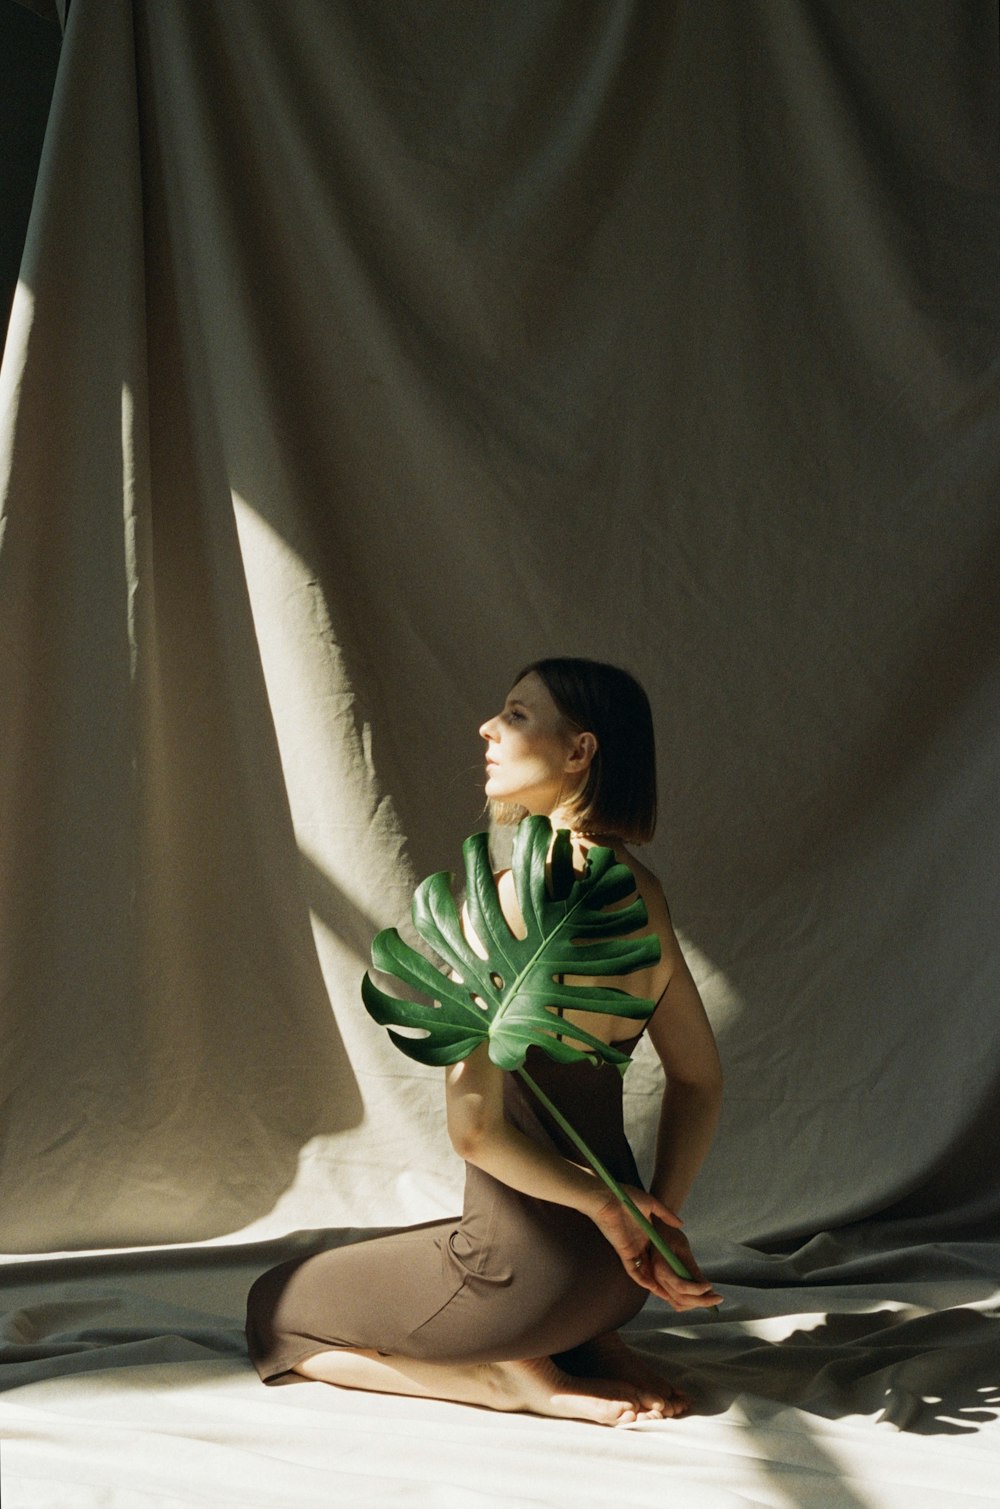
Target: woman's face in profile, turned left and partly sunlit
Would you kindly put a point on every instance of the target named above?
(532, 757)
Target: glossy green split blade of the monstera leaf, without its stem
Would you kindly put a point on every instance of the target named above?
(508, 1000)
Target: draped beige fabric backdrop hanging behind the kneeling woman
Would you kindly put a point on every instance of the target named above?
(361, 355)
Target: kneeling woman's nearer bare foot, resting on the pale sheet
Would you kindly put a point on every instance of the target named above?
(542, 1388)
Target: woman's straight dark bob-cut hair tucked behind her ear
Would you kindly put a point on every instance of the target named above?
(621, 793)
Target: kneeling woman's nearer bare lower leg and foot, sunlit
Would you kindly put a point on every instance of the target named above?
(536, 1386)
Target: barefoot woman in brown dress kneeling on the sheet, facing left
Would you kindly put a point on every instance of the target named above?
(517, 1305)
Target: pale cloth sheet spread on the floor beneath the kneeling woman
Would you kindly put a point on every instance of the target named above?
(127, 1386)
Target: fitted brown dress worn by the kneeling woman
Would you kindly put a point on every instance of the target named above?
(514, 1279)
